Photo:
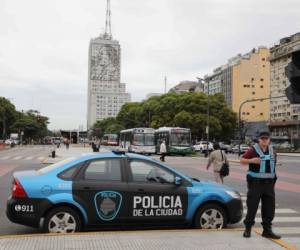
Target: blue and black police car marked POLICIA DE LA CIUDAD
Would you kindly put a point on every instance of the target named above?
(114, 189)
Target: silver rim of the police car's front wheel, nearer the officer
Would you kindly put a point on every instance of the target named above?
(211, 219)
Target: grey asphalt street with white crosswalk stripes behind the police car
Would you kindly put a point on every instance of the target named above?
(287, 220)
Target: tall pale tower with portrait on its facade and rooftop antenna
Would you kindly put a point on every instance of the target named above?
(106, 94)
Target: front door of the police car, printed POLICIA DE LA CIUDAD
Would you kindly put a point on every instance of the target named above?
(154, 197)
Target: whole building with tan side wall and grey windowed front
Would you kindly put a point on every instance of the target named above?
(244, 77)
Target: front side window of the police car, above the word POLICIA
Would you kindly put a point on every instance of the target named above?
(143, 171)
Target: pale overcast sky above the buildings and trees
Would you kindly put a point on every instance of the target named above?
(44, 45)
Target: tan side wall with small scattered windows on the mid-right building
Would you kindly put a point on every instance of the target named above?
(251, 80)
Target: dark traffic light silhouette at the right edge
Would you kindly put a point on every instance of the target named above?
(292, 71)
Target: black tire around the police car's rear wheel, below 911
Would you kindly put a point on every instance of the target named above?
(58, 210)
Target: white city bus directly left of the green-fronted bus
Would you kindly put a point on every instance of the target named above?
(138, 140)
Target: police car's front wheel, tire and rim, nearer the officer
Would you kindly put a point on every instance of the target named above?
(210, 216)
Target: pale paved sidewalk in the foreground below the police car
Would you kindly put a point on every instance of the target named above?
(151, 239)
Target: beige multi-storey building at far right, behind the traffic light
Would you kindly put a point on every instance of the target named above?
(284, 120)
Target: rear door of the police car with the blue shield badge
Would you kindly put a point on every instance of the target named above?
(101, 189)
